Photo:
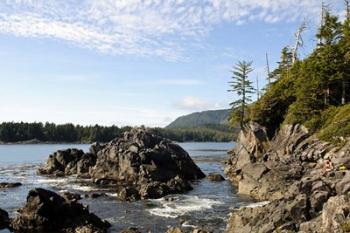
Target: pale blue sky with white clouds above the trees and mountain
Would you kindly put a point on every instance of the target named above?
(138, 62)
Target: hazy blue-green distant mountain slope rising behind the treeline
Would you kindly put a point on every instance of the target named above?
(212, 117)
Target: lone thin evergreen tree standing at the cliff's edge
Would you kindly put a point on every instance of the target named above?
(242, 86)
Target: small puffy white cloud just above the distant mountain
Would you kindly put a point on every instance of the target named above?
(194, 103)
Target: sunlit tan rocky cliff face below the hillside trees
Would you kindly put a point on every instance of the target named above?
(303, 178)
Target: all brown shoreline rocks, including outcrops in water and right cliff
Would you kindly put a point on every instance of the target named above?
(303, 182)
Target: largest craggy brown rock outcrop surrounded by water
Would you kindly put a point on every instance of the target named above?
(139, 163)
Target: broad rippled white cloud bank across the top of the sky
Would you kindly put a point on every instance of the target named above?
(141, 27)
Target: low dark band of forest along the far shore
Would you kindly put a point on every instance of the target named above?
(12, 132)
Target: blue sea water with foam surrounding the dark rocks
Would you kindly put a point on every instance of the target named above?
(208, 205)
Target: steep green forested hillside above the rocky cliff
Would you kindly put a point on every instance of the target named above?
(314, 91)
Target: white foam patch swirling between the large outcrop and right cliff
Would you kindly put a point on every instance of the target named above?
(181, 206)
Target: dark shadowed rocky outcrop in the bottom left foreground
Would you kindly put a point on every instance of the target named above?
(46, 211)
